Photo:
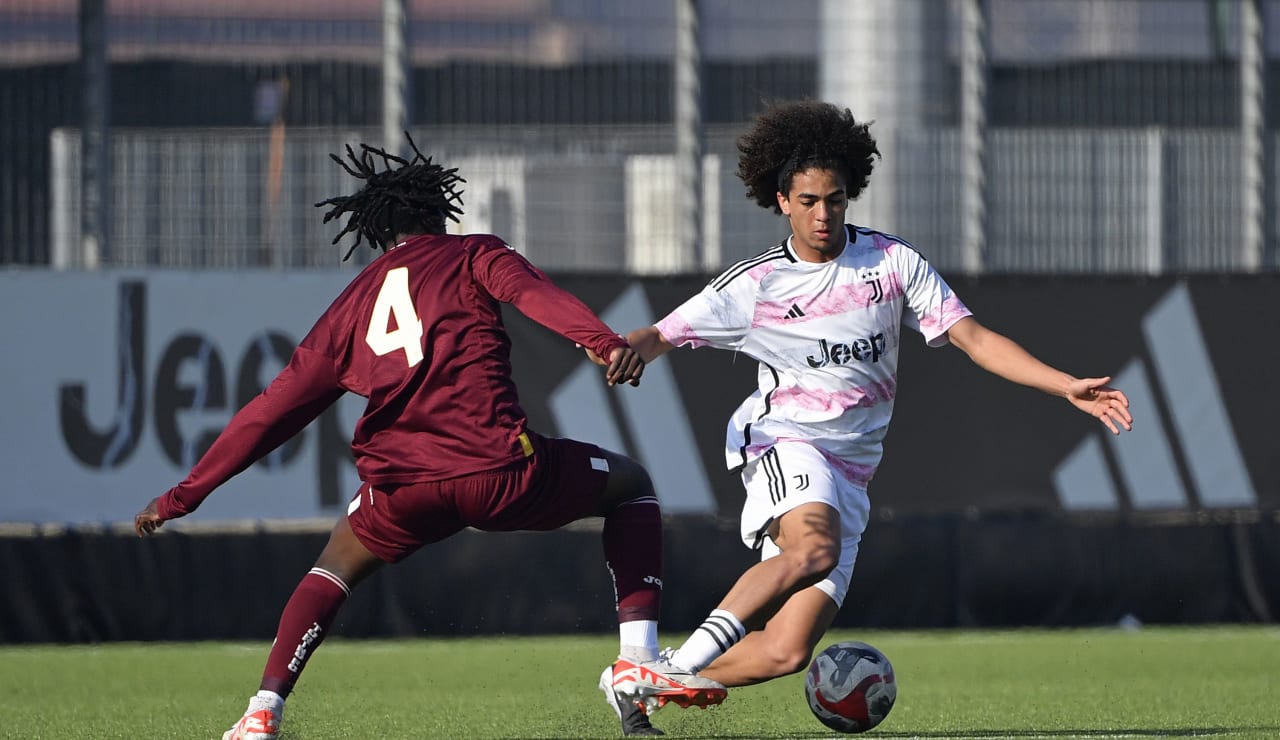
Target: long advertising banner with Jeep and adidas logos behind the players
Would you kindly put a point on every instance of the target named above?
(115, 383)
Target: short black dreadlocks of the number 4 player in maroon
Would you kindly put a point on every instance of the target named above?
(415, 197)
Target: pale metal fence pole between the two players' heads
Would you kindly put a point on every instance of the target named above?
(689, 135)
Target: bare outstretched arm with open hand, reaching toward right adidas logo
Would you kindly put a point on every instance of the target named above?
(1005, 358)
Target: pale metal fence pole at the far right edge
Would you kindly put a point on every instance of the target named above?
(1252, 139)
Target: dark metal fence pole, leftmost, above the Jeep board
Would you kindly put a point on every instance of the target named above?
(95, 136)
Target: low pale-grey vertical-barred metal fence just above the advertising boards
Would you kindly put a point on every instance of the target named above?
(1062, 200)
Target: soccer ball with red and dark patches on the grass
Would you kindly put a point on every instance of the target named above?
(851, 687)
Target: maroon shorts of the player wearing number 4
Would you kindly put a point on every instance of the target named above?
(559, 483)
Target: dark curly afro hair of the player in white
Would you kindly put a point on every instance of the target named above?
(793, 138)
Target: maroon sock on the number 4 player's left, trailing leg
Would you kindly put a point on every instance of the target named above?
(304, 624)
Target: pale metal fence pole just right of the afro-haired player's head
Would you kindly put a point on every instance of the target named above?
(973, 134)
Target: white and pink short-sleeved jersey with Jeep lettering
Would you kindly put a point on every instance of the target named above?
(826, 336)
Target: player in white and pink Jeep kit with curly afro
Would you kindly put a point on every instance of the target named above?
(824, 313)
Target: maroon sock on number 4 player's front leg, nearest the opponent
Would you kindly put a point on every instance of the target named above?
(633, 549)
